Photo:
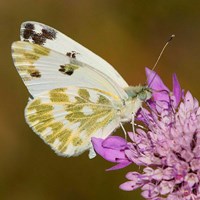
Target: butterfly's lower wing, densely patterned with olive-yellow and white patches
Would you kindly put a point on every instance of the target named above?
(67, 118)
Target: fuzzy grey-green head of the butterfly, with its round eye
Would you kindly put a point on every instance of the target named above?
(143, 93)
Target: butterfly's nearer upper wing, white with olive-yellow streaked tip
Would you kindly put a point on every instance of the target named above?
(43, 69)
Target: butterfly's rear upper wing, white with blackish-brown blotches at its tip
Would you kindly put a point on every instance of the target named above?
(46, 36)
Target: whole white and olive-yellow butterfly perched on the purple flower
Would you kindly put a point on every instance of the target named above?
(74, 94)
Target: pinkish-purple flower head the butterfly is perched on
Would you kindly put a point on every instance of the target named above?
(168, 147)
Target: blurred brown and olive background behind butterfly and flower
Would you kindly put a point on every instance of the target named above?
(128, 34)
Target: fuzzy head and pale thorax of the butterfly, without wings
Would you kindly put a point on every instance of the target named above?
(136, 96)
